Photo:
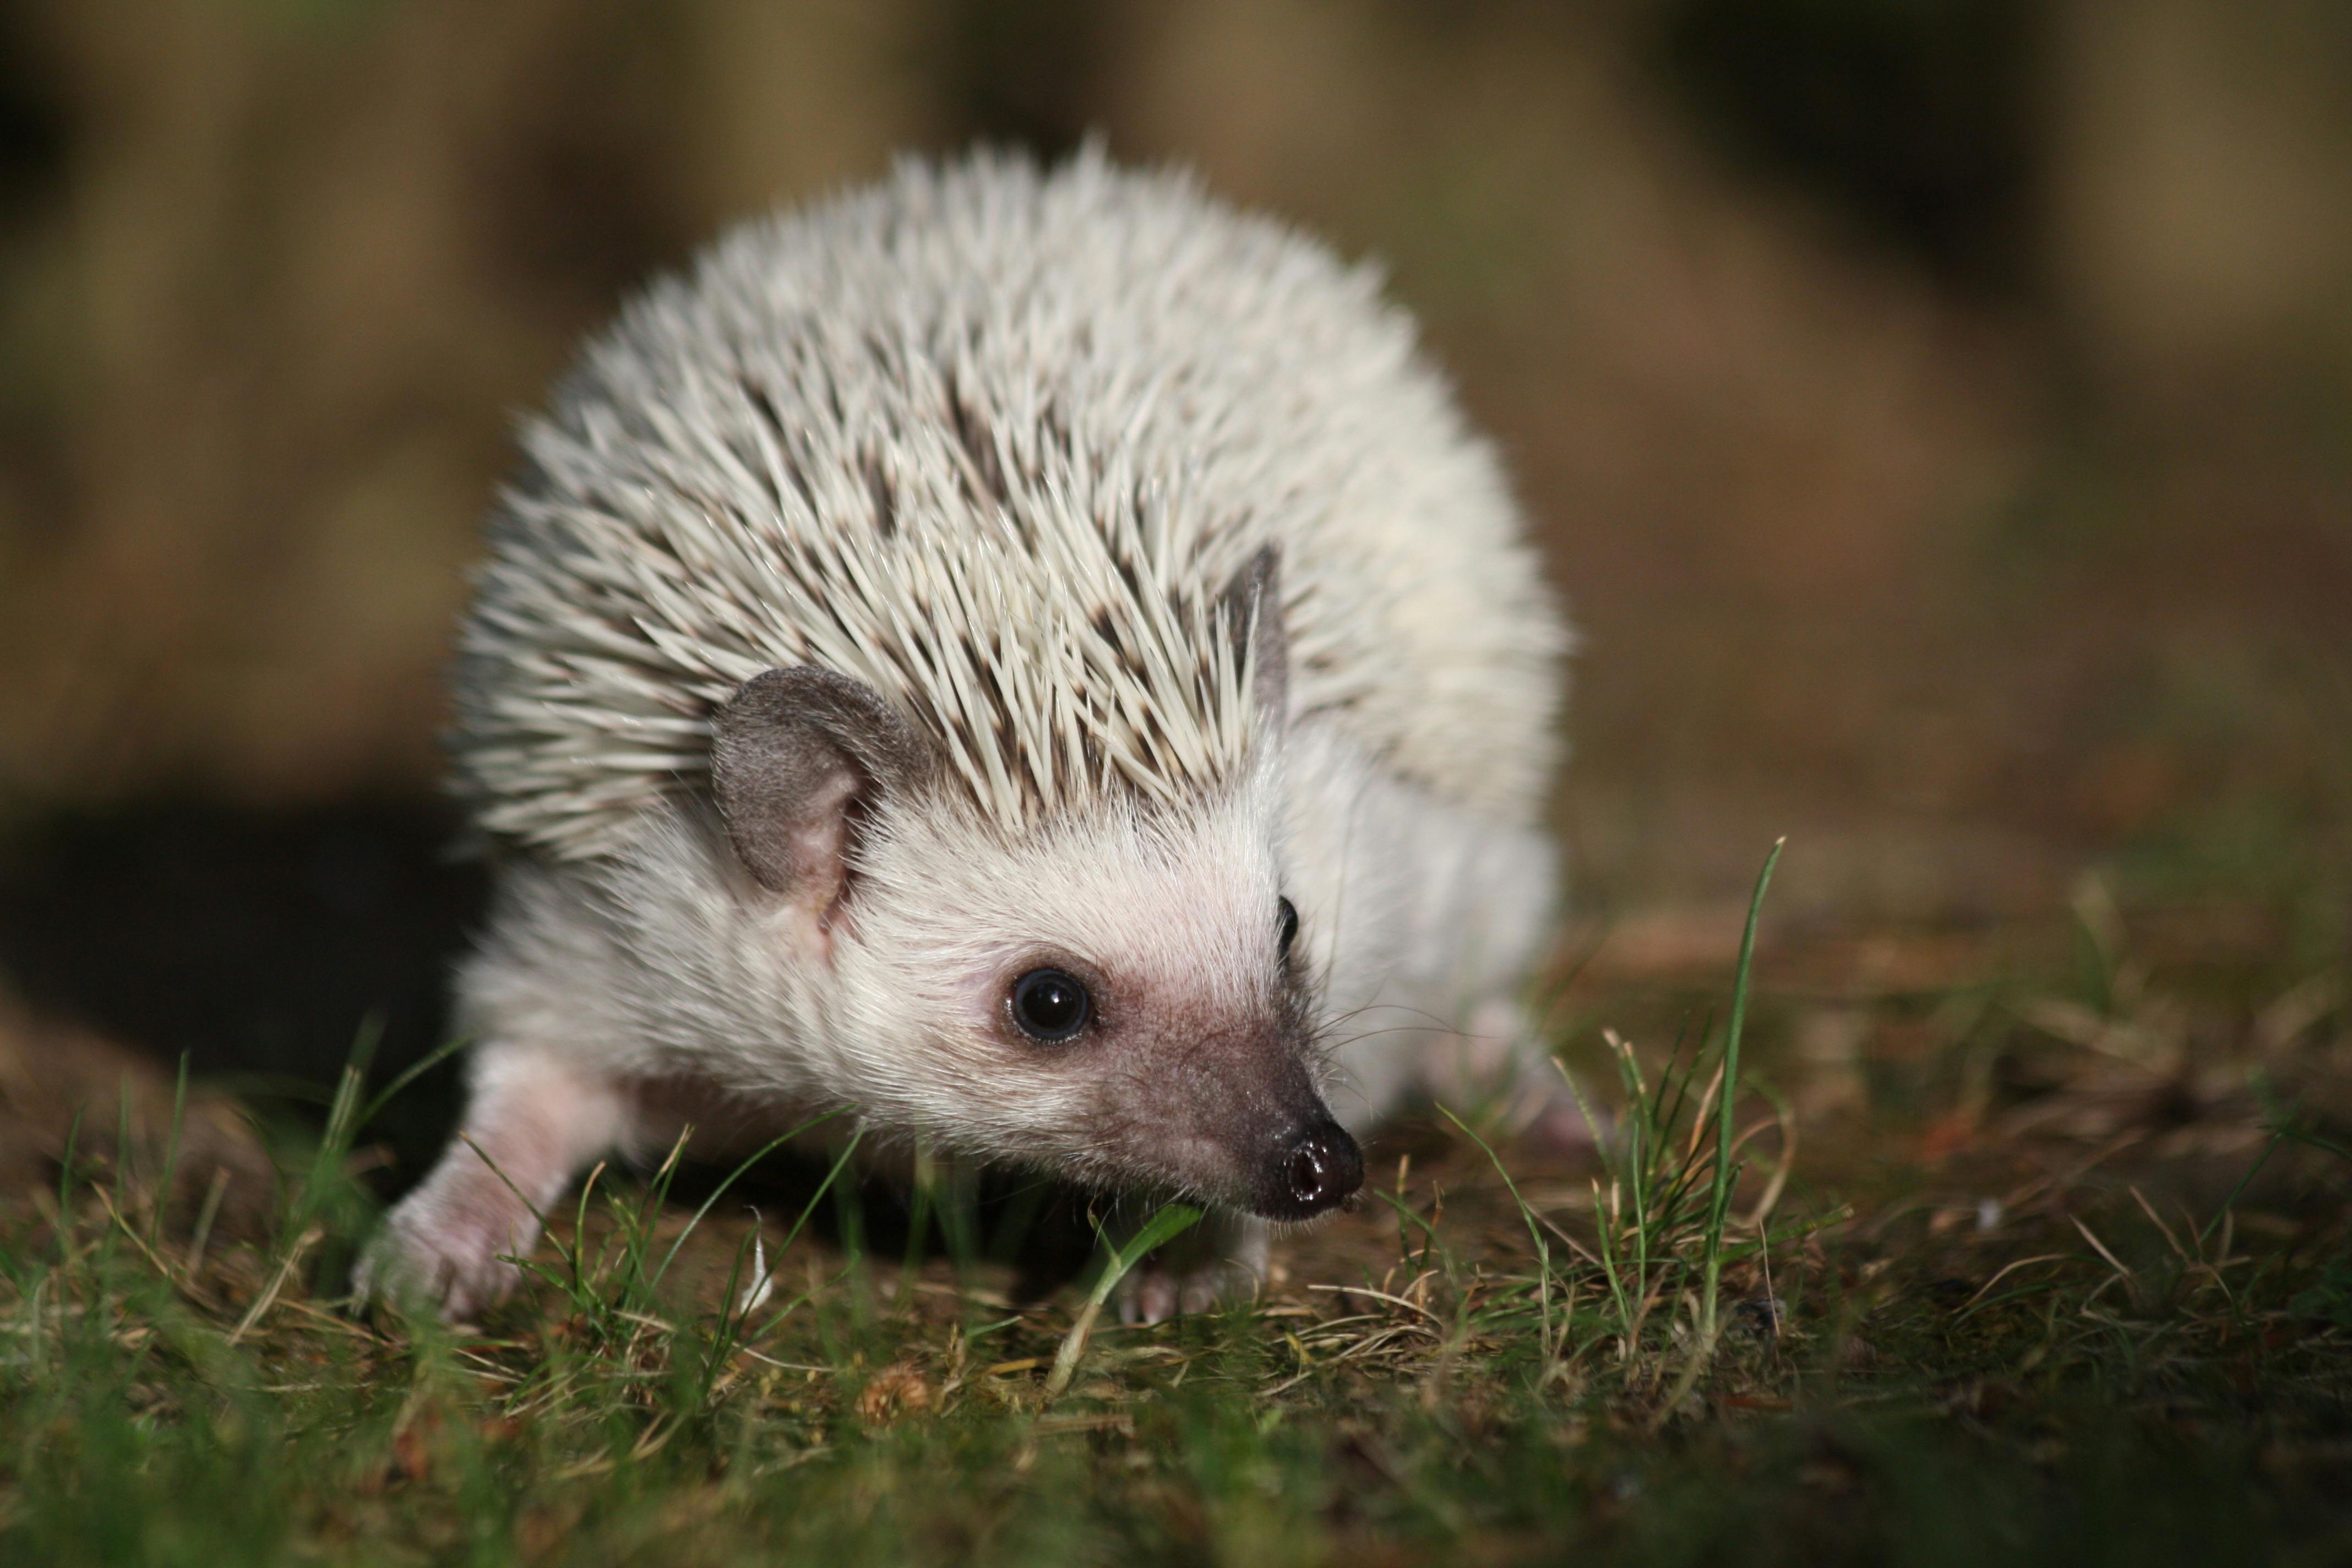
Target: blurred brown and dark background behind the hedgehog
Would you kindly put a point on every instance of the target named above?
(1937, 413)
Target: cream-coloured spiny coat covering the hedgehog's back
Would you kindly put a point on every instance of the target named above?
(996, 441)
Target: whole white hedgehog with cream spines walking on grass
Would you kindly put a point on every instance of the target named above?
(1029, 655)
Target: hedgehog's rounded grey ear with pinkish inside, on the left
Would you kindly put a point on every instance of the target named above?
(791, 756)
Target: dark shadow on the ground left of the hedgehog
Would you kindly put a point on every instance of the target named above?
(255, 944)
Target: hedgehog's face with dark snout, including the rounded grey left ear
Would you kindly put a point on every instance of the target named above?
(1118, 993)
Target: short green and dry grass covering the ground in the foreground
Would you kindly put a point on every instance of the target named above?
(1690, 1355)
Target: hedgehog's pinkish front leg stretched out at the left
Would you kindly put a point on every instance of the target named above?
(530, 1125)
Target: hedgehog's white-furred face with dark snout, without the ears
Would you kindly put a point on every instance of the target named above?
(1123, 998)
